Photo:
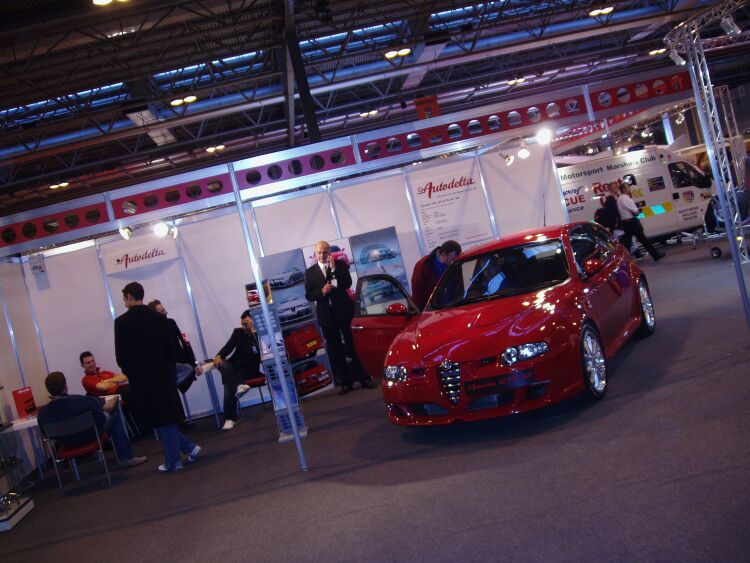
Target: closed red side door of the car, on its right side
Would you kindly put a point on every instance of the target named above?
(607, 290)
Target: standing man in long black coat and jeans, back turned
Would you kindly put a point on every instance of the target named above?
(145, 352)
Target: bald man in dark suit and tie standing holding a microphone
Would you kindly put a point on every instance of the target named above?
(326, 283)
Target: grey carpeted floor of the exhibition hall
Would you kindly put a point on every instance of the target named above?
(656, 471)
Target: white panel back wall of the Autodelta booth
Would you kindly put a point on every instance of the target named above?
(71, 304)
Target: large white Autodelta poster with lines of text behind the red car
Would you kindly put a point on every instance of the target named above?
(450, 203)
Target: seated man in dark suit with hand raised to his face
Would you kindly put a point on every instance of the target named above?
(238, 361)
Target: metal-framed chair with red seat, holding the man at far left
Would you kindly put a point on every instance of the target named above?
(61, 429)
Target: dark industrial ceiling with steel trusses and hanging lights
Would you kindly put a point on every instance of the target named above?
(89, 92)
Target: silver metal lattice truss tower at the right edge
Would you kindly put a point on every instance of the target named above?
(685, 39)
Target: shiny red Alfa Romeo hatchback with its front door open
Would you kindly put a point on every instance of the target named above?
(513, 325)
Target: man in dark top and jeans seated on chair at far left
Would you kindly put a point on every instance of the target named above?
(105, 413)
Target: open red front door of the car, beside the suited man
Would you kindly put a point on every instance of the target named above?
(382, 308)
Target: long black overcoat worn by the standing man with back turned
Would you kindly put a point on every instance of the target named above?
(145, 352)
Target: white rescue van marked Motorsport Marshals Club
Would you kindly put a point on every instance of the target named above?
(671, 192)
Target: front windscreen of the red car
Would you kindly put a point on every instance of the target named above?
(503, 272)
